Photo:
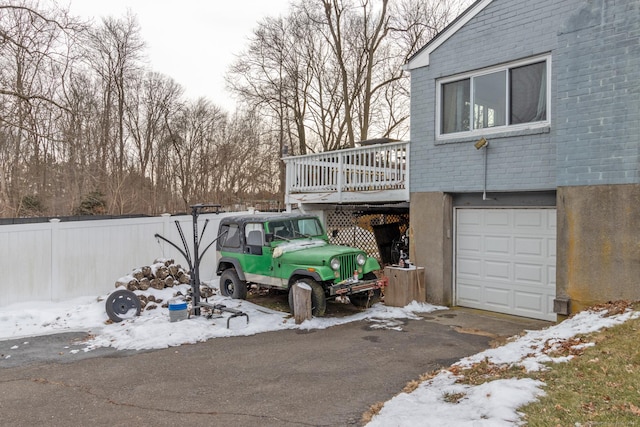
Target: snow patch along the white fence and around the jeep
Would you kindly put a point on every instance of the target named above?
(153, 328)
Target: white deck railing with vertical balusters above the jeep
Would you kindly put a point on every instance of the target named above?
(375, 168)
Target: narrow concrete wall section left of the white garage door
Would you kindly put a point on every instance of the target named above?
(431, 243)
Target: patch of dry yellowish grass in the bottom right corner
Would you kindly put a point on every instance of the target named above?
(601, 386)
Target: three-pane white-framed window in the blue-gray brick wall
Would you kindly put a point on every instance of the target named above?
(507, 96)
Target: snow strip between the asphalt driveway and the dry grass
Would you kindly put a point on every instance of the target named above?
(494, 403)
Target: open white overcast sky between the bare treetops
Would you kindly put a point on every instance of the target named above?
(192, 41)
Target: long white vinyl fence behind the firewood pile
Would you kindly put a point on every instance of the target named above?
(58, 260)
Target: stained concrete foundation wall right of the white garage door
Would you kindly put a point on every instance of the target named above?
(598, 244)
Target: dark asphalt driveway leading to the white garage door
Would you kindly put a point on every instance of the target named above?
(286, 378)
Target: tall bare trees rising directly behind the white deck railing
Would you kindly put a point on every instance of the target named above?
(332, 70)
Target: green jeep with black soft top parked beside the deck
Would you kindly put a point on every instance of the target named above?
(280, 250)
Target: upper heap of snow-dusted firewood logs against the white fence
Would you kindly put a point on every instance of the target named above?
(163, 273)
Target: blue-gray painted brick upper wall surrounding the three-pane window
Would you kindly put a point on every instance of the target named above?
(593, 136)
